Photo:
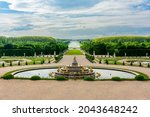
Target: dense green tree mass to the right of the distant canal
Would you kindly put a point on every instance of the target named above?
(121, 45)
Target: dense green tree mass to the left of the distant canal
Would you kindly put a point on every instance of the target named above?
(29, 45)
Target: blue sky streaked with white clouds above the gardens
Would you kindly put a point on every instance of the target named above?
(74, 19)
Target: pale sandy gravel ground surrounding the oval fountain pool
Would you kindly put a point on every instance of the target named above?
(26, 89)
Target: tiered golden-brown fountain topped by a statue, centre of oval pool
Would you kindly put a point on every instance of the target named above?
(75, 71)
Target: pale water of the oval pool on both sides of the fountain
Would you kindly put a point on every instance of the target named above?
(105, 74)
